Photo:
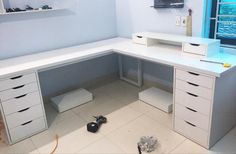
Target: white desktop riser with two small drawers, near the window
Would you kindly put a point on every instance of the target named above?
(193, 46)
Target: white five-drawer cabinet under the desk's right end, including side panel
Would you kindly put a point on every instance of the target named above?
(204, 106)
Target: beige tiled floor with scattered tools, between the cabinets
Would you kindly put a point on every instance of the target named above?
(128, 120)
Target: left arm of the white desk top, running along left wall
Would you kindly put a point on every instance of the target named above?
(55, 58)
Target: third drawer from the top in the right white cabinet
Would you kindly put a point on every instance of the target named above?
(192, 101)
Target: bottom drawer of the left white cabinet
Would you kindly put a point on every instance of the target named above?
(28, 129)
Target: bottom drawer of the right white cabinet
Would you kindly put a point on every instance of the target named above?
(196, 134)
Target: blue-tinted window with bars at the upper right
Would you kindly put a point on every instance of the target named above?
(223, 21)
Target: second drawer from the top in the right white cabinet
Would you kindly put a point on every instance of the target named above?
(194, 89)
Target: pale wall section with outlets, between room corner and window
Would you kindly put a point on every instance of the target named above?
(137, 15)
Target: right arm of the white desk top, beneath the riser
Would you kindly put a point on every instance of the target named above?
(171, 55)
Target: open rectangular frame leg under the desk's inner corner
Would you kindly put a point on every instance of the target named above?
(139, 73)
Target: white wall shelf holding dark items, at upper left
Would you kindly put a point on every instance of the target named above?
(3, 10)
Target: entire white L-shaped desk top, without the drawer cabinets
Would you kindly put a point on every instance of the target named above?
(161, 54)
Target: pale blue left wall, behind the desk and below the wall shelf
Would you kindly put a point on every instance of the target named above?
(84, 21)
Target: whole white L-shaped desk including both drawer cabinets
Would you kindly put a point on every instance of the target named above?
(204, 93)
